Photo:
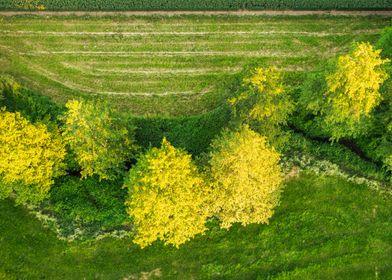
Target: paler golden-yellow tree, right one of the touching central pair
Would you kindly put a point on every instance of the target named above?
(246, 177)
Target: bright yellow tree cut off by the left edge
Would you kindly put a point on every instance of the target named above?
(30, 157)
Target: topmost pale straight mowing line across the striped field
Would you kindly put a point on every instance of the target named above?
(185, 33)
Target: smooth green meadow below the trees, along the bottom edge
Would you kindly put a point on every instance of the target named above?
(325, 228)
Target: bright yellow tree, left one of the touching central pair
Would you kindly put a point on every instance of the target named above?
(166, 197)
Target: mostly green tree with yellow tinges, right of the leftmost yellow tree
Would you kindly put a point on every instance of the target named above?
(100, 141)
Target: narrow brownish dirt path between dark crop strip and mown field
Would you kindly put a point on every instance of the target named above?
(174, 13)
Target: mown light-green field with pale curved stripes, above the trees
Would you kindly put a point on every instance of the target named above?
(151, 65)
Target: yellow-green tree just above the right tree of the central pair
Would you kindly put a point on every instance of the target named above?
(264, 104)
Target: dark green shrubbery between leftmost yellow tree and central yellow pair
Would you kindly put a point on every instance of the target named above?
(89, 204)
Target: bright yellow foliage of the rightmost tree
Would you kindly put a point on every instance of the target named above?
(353, 89)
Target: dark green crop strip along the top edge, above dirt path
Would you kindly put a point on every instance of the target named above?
(108, 5)
